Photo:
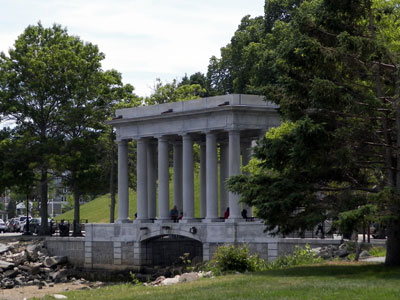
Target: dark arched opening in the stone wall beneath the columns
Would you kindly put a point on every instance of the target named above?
(168, 250)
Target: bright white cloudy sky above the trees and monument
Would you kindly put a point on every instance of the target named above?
(142, 39)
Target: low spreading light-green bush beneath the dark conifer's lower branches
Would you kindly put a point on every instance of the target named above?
(300, 256)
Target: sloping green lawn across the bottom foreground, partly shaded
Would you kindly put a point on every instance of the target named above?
(327, 281)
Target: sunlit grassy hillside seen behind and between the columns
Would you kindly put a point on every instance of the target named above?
(98, 210)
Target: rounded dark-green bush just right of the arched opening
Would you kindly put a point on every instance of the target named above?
(229, 258)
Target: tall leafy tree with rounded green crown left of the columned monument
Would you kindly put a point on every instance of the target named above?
(52, 85)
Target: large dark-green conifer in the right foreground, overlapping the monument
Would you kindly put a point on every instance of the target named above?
(335, 77)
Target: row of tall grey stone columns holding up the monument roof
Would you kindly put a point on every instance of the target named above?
(183, 178)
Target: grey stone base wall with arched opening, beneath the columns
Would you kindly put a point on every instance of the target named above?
(127, 247)
